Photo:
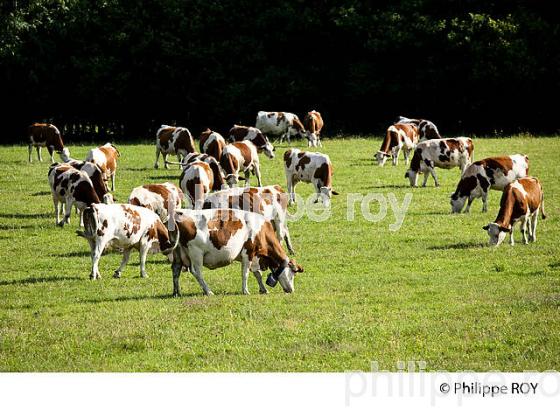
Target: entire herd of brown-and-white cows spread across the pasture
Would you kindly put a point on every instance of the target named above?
(222, 222)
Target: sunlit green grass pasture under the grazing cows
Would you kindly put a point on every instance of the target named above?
(432, 291)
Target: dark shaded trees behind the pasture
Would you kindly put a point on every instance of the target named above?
(119, 69)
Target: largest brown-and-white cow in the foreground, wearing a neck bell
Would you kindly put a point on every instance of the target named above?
(214, 238)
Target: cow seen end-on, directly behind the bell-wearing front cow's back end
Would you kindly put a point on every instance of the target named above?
(196, 181)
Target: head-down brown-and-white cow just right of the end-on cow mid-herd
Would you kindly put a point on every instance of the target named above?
(237, 157)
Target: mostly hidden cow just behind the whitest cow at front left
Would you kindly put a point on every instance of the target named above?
(156, 197)
